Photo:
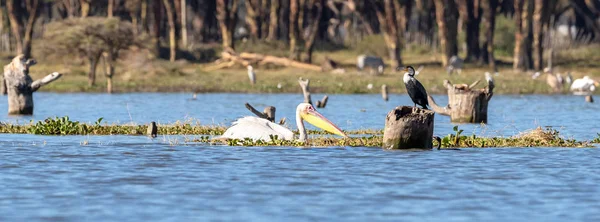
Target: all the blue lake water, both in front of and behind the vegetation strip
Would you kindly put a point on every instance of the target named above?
(134, 178)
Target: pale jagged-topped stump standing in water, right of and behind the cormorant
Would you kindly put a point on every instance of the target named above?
(465, 105)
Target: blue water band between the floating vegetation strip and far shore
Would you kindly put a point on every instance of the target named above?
(508, 115)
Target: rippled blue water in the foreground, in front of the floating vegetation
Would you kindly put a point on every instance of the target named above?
(120, 178)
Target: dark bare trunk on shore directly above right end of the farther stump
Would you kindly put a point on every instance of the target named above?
(489, 14)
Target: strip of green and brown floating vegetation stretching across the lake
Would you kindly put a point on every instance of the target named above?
(359, 138)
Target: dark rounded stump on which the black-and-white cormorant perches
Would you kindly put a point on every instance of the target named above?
(408, 128)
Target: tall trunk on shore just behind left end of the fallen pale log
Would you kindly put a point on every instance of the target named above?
(227, 17)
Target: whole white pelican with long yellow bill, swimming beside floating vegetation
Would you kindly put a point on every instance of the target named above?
(261, 129)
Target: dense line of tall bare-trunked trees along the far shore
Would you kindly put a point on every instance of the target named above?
(181, 24)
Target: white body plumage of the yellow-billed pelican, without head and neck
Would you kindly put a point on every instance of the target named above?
(257, 129)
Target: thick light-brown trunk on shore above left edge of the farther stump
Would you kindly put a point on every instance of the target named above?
(446, 17)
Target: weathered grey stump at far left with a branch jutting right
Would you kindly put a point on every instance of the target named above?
(20, 86)
